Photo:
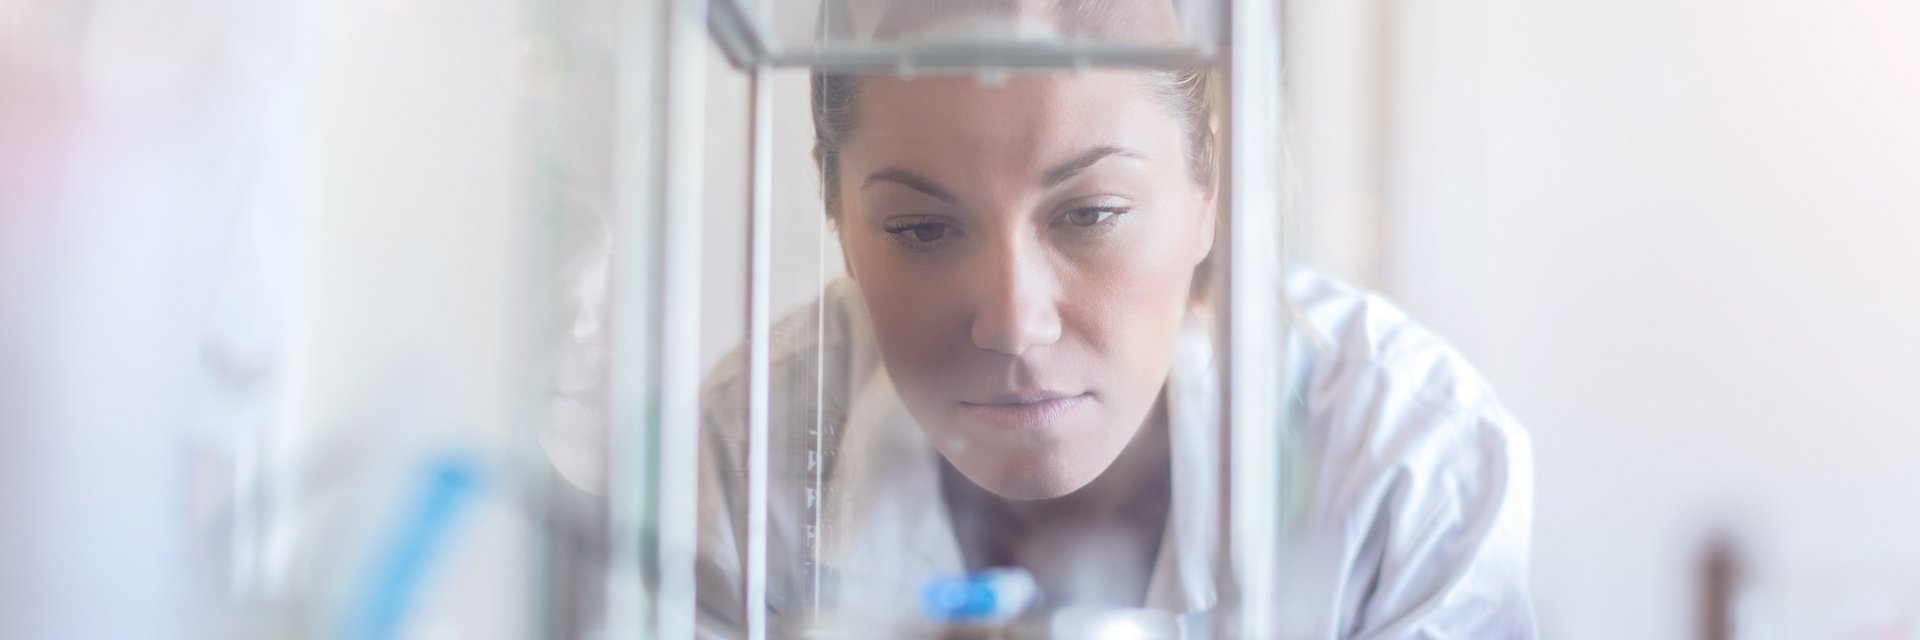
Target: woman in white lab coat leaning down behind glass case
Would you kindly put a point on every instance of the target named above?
(1019, 372)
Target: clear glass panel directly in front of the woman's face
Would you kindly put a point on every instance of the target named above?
(986, 431)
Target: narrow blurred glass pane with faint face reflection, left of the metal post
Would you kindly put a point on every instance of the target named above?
(565, 122)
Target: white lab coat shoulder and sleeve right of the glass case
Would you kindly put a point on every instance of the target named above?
(1414, 485)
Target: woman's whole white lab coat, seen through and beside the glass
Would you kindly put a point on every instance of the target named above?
(1408, 489)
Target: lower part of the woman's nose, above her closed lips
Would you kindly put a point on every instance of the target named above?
(1015, 307)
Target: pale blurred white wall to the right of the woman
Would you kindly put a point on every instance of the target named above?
(1681, 239)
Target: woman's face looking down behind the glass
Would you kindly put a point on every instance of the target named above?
(1026, 253)
